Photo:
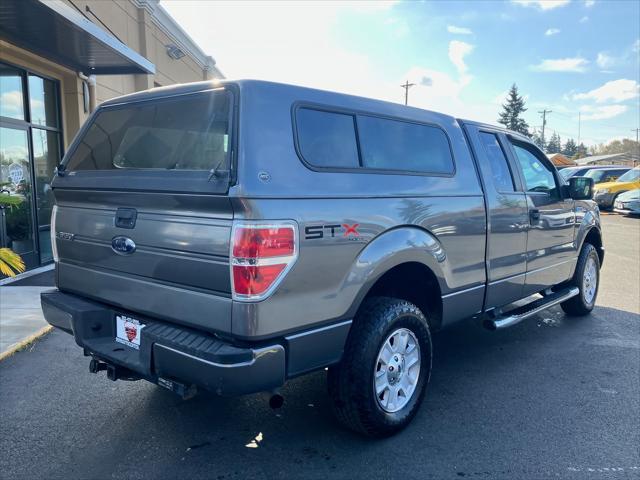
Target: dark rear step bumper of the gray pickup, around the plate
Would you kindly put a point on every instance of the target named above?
(167, 351)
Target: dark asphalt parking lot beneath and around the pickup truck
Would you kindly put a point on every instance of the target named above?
(553, 397)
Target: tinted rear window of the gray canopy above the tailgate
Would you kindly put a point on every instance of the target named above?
(186, 132)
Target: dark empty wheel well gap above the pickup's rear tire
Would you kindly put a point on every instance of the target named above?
(415, 283)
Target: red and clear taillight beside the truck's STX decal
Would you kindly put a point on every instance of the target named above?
(260, 256)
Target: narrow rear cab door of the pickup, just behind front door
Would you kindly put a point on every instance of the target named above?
(507, 217)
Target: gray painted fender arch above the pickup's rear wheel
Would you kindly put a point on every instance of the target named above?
(392, 248)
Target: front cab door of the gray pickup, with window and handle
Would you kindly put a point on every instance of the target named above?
(550, 248)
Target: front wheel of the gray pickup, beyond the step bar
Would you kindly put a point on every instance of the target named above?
(587, 279)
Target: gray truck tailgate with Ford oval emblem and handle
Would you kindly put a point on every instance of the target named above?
(179, 269)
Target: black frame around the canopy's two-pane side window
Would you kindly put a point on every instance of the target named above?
(362, 169)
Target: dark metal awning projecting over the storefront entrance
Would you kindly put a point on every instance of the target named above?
(60, 33)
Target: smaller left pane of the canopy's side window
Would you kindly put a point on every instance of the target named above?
(327, 139)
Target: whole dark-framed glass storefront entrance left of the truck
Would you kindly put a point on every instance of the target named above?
(30, 150)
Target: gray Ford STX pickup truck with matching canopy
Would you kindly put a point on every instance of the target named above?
(230, 236)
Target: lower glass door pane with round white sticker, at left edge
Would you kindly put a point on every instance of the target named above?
(16, 195)
